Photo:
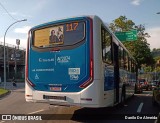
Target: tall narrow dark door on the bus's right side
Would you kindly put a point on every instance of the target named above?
(116, 73)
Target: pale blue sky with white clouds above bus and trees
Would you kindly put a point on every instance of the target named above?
(41, 11)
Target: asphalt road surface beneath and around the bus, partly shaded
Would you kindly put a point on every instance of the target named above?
(138, 106)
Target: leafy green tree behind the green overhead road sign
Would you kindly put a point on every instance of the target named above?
(140, 48)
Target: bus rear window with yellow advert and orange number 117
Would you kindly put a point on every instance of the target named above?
(61, 35)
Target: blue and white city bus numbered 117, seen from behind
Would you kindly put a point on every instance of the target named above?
(77, 61)
